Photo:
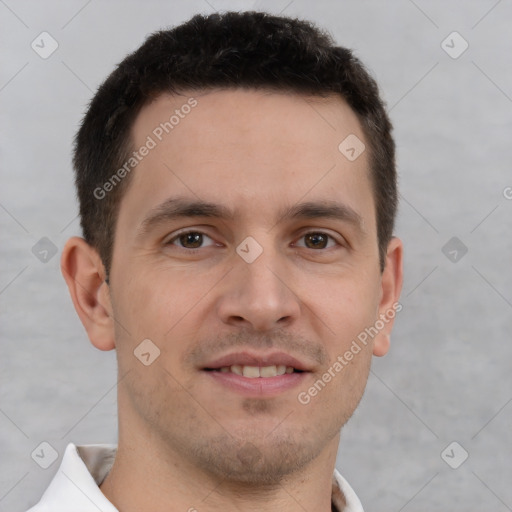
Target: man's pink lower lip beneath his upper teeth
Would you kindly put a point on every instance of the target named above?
(259, 386)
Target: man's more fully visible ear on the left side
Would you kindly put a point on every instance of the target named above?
(84, 273)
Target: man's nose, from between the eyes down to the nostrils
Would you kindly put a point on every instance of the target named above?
(259, 295)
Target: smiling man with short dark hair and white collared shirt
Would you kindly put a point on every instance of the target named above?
(237, 192)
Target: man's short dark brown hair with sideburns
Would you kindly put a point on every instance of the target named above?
(229, 50)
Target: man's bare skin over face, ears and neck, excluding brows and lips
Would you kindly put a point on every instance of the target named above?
(186, 441)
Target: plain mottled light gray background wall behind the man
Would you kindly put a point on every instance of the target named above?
(447, 377)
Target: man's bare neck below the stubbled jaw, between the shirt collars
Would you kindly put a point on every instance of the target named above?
(149, 475)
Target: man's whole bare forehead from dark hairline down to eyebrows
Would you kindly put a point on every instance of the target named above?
(247, 148)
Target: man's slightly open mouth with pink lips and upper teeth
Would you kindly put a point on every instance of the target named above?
(257, 375)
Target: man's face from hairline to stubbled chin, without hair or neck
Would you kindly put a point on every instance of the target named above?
(246, 251)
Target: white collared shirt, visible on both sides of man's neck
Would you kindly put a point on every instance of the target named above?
(75, 486)
